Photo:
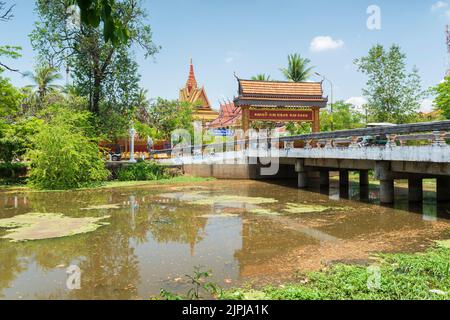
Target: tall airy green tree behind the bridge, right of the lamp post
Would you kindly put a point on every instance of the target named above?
(393, 94)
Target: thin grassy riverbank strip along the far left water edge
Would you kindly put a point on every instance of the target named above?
(17, 187)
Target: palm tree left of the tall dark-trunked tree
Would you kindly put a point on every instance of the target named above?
(44, 78)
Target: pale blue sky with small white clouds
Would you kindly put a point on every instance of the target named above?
(255, 36)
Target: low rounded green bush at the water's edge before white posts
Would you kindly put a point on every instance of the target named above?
(142, 171)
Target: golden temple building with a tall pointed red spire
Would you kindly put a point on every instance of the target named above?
(195, 95)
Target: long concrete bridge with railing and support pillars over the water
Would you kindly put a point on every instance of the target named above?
(413, 152)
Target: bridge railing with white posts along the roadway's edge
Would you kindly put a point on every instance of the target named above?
(434, 133)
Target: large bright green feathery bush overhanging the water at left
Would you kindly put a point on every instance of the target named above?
(65, 156)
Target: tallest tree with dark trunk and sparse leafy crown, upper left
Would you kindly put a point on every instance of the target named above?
(102, 70)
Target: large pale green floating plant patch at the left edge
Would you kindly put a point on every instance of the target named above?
(40, 226)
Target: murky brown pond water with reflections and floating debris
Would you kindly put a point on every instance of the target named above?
(157, 235)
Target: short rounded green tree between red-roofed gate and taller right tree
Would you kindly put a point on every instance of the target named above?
(344, 117)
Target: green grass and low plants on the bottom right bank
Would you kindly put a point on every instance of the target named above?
(421, 276)
